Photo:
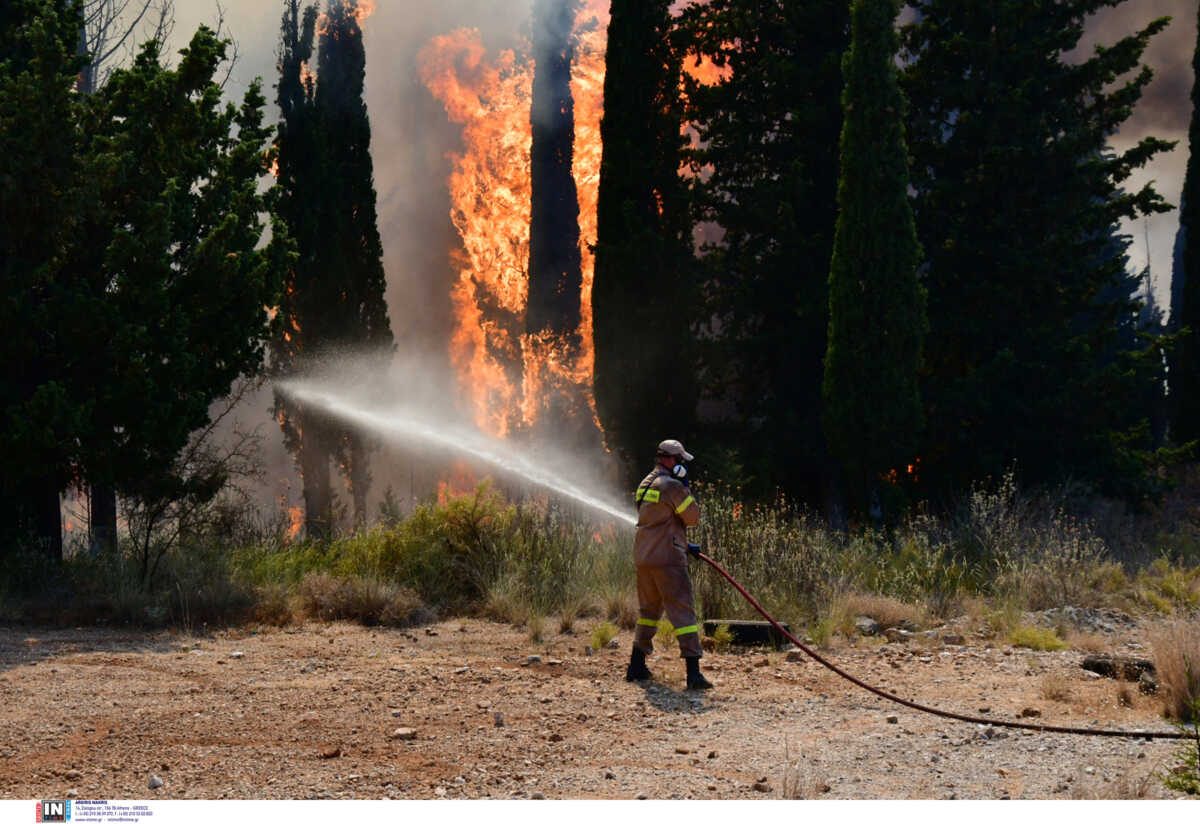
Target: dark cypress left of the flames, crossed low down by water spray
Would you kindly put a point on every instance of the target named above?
(334, 296)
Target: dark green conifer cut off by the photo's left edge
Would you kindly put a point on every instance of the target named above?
(39, 173)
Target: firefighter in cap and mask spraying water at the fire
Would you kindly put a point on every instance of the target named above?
(665, 510)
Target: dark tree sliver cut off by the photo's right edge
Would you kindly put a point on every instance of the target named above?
(1185, 377)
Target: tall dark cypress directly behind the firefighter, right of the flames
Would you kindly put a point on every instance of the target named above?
(643, 298)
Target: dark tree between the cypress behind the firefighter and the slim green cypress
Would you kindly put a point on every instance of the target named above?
(765, 172)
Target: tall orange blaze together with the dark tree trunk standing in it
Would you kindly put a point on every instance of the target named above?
(524, 194)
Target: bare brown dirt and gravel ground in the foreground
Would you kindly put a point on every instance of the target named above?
(459, 711)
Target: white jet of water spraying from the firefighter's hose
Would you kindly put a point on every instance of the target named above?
(404, 425)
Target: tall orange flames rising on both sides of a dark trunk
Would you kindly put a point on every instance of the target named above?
(506, 374)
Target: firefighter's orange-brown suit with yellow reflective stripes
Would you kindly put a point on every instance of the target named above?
(665, 509)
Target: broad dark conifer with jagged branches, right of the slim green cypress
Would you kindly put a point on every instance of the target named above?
(1017, 202)
